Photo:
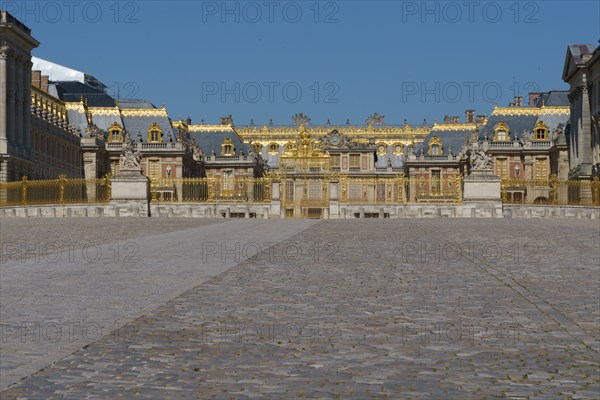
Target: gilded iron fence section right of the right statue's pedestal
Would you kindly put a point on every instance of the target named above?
(551, 191)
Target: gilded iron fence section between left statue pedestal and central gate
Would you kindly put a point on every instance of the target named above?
(211, 189)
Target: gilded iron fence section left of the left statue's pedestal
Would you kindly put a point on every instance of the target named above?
(55, 191)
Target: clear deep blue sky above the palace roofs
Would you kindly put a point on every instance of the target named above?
(331, 60)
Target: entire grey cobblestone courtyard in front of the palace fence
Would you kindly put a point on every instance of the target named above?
(186, 309)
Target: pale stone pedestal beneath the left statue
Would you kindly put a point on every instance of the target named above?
(130, 193)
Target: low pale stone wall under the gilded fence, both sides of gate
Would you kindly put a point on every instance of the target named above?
(267, 211)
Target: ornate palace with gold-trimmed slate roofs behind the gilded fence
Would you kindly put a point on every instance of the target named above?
(58, 121)
